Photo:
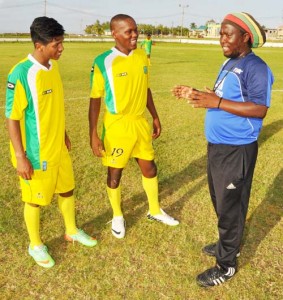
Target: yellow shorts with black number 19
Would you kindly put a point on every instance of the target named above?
(125, 137)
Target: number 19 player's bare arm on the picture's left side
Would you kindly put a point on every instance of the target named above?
(93, 115)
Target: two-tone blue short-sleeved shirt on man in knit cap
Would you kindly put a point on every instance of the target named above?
(240, 80)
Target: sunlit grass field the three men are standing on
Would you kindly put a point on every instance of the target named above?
(154, 261)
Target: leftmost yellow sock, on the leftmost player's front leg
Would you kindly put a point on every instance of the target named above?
(32, 219)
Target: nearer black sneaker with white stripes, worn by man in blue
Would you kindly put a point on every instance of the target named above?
(215, 276)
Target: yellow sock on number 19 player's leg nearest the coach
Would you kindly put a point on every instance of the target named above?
(150, 186)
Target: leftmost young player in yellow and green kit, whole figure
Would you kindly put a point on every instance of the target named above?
(39, 142)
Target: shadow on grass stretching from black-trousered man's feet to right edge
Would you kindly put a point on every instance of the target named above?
(264, 219)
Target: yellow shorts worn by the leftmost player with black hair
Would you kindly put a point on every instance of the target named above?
(44, 184)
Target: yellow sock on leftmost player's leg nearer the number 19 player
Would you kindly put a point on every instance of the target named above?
(67, 208)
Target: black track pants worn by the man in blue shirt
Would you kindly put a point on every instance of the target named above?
(230, 171)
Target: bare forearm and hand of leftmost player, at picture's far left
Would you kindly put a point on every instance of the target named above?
(24, 167)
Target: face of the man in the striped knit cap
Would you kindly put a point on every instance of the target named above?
(233, 41)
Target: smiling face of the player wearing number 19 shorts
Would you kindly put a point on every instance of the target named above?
(125, 33)
